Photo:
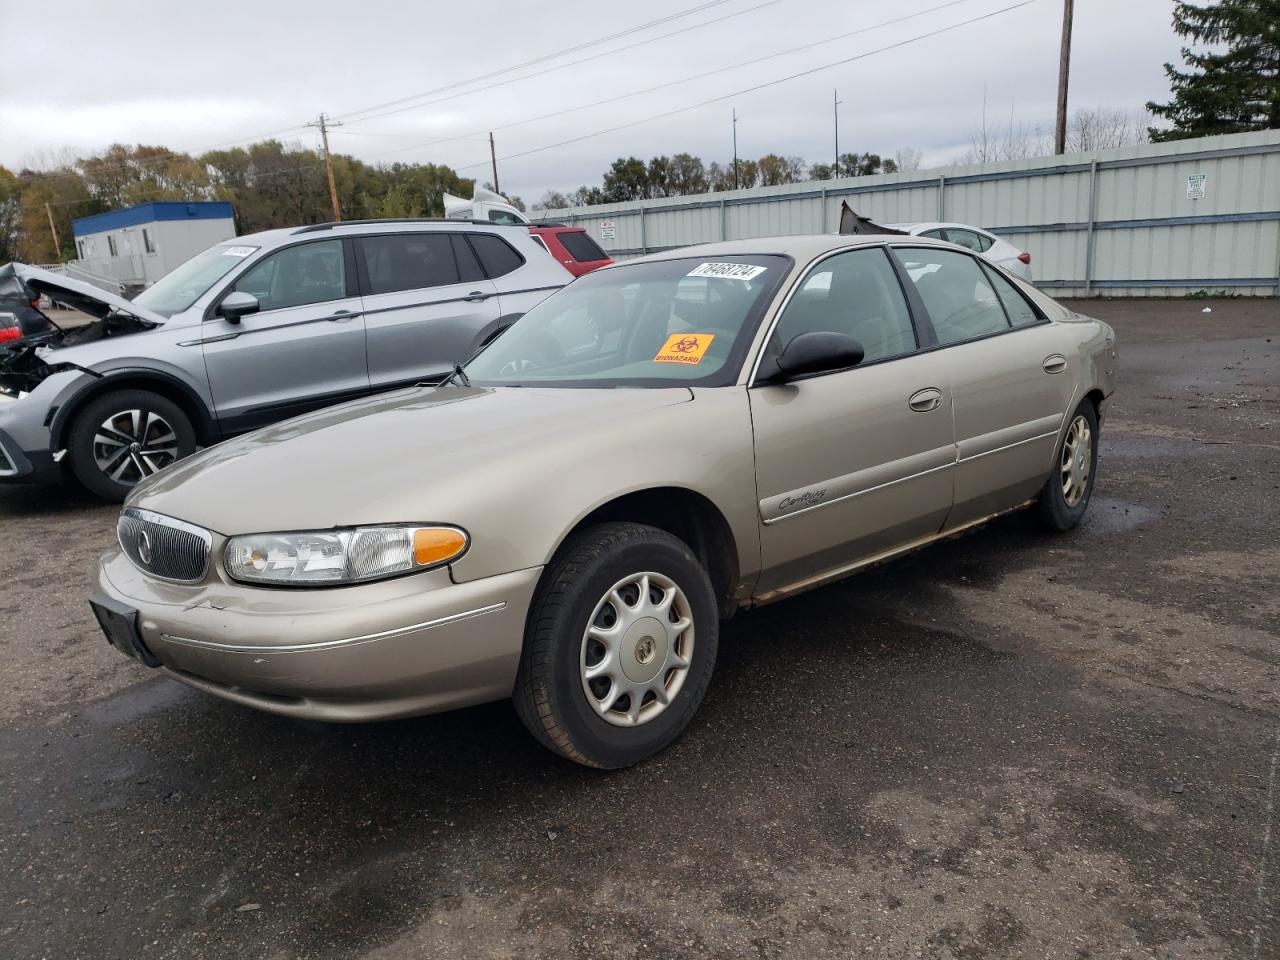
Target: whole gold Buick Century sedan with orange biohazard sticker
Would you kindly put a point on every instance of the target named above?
(569, 518)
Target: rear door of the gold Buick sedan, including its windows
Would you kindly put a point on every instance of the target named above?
(1008, 374)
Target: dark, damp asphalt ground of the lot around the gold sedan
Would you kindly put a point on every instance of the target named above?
(1008, 746)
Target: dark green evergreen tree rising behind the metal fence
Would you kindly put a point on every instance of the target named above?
(1236, 85)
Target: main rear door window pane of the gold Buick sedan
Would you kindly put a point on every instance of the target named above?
(957, 292)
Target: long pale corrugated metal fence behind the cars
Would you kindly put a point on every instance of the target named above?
(1116, 222)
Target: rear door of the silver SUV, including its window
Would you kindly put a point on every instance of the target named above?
(428, 307)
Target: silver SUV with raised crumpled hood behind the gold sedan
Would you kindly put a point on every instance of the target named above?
(254, 331)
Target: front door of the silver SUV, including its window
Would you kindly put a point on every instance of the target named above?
(304, 349)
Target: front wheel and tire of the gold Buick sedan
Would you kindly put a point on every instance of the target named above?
(568, 714)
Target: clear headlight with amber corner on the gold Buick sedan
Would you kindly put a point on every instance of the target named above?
(336, 557)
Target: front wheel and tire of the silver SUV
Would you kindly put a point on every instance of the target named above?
(124, 437)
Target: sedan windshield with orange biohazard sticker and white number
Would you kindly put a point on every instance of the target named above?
(656, 324)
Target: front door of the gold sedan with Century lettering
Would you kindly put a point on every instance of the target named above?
(854, 463)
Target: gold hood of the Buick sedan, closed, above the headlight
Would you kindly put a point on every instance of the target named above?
(417, 455)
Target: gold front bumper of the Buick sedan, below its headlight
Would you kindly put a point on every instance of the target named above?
(395, 648)
